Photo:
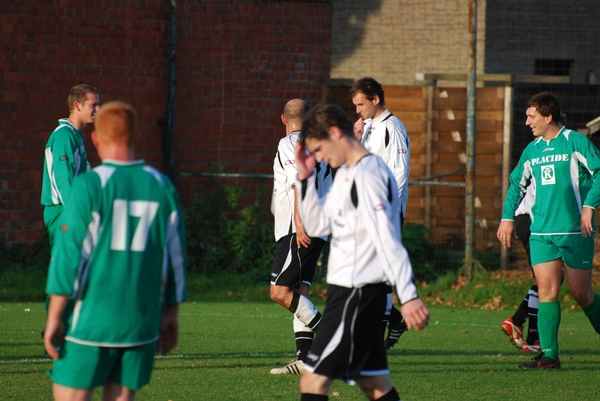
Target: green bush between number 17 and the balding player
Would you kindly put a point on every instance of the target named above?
(224, 238)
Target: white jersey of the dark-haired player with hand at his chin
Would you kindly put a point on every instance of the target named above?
(386, 137)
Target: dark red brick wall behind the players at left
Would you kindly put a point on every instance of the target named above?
(237, 64)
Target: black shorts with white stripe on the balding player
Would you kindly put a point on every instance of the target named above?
(294, 266)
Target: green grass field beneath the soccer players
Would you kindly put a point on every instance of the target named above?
(227, 349)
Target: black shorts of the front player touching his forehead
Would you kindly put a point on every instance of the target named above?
(349, 343)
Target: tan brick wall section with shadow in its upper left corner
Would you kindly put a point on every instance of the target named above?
(392, 40)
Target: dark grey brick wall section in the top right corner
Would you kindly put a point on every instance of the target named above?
(551, 29)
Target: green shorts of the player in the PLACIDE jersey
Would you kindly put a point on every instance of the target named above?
(576, 251)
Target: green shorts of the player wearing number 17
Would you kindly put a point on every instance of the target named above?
(85, 367)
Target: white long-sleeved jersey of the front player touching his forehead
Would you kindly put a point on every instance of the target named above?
(362, 214)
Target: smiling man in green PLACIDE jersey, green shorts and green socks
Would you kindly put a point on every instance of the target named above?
(562, 166)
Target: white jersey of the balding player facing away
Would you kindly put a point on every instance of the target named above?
(285, 175)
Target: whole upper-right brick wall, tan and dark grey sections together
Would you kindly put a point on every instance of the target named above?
(392, 40)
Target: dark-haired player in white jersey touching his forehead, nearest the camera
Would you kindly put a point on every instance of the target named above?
(361, 211)
